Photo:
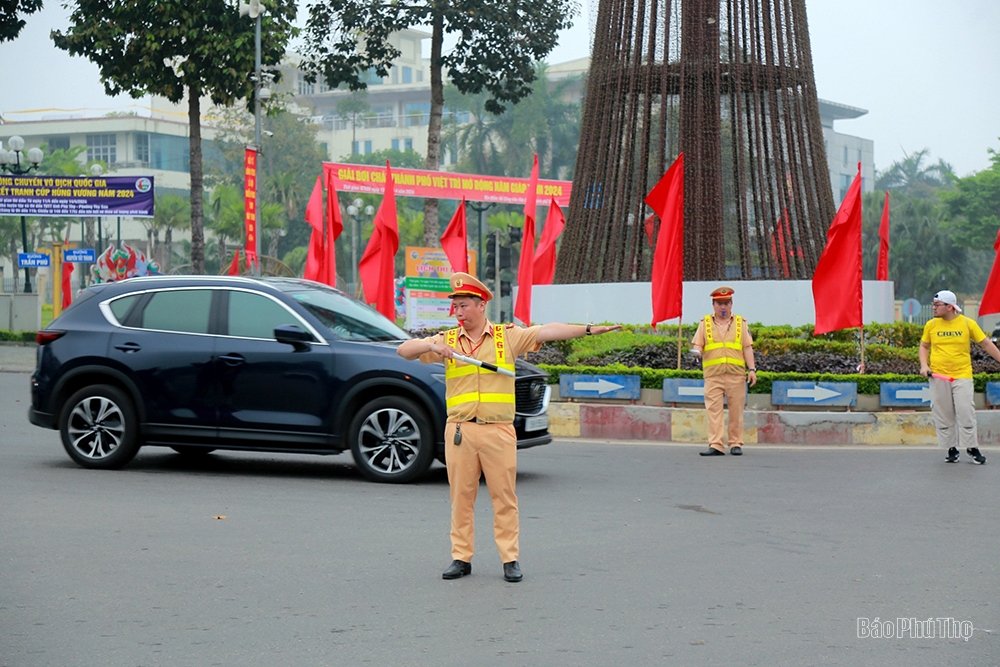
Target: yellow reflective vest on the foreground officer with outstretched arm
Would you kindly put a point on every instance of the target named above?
(474, 392)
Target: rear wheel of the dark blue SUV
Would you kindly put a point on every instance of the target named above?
(99, 428)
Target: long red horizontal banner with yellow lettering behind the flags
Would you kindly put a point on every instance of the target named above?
(445, 185)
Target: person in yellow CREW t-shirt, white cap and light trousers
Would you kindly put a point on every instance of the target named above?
(944, 351)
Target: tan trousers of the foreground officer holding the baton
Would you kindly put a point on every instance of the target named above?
(490, 449)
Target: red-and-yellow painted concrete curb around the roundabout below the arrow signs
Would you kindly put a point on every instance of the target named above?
(689, 425)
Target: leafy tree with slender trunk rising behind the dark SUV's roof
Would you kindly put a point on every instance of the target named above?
(178, 48)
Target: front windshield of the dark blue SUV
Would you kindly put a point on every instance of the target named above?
(347, 318)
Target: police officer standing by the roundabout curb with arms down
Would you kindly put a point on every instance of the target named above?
(725, 347)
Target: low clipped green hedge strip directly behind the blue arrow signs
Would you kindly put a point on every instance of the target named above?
(652, 378)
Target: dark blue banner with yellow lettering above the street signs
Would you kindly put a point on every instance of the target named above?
(76, 196)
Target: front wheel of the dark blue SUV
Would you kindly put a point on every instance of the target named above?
(391, 440)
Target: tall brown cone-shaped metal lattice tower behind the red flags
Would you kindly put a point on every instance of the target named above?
(730, 83)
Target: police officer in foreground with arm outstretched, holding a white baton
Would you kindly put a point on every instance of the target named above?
(479, 436)
